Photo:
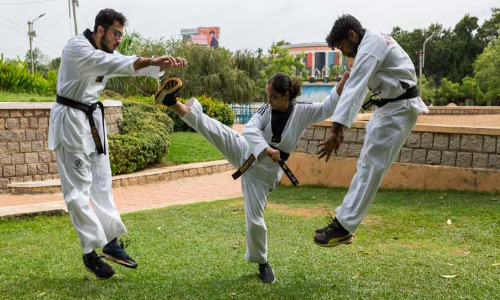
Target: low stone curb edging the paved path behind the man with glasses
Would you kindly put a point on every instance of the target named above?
(136, 178)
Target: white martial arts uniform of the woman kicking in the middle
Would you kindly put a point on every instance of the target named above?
(264, 174)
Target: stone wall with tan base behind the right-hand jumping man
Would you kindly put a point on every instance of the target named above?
(470, 157)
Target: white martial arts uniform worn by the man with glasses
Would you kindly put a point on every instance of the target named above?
(84, 174)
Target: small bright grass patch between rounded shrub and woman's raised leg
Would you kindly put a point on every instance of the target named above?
(191, 147)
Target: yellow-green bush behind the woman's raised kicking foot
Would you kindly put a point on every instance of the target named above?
(211, 107)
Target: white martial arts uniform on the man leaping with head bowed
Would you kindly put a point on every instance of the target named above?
(386, 69)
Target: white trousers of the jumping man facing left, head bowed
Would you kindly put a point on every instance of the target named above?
(386, 134)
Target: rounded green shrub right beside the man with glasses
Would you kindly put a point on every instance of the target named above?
(145, 138)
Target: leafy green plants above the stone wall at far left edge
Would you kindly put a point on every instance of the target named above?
(16, 78)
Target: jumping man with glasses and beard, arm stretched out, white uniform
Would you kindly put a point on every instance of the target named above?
(78, 136)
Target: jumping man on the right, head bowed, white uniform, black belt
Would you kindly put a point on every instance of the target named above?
(382, 66)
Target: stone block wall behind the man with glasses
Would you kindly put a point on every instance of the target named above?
(24, 153)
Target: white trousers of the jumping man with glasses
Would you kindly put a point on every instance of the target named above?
(85, 178)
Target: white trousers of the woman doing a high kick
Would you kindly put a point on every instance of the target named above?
(234, 147)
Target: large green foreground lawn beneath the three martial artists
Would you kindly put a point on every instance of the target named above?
(401, 251)
